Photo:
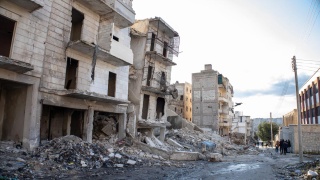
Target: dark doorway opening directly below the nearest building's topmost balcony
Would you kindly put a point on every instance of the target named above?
(76, 26)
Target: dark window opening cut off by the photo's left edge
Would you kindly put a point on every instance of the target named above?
(6, 35)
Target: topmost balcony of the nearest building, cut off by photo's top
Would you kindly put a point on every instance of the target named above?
(121, 11)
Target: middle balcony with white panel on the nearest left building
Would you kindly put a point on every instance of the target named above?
(118, 55)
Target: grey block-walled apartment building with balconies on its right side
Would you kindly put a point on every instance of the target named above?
(212, 100)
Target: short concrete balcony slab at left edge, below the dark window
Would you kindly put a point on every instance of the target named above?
(15, 65)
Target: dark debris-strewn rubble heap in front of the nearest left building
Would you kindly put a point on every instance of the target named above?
(74, 153)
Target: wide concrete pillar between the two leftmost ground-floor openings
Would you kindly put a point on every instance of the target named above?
(31, 129)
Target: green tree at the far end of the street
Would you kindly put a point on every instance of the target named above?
(264, 130)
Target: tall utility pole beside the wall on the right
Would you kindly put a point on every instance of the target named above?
(294, 67)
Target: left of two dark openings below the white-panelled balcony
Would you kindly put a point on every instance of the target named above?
(71, 74)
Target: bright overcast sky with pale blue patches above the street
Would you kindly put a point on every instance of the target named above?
(251, 42)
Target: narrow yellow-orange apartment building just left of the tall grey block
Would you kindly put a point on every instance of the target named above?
(182, 105)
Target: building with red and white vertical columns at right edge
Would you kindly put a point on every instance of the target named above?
(309, 99)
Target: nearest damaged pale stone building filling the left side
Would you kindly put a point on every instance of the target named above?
(63, 64)
